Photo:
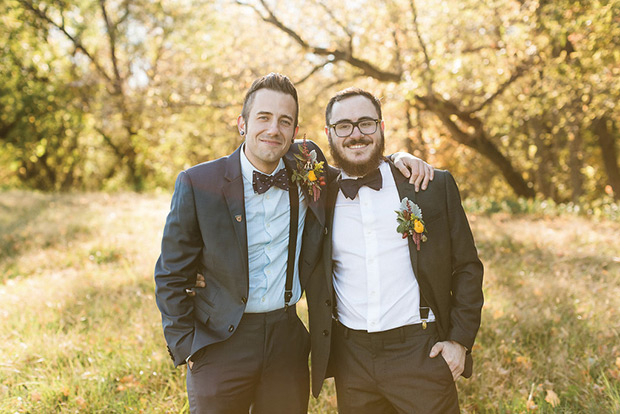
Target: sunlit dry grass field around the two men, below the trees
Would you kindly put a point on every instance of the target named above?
(80, 331)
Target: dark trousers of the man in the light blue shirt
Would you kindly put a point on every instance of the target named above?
(262, 368)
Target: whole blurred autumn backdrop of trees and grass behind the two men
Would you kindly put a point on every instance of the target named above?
(103, 102)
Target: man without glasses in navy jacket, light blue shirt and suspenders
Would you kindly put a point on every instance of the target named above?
(241, 222)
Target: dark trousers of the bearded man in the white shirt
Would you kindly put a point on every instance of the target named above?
(391, 372)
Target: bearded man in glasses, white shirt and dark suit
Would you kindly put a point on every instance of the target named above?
(393, 317)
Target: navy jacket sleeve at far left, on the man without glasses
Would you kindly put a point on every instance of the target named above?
(176, 270)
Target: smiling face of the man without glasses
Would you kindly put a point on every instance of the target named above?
(269, 129)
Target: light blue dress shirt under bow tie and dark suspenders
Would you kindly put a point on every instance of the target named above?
(268, 221)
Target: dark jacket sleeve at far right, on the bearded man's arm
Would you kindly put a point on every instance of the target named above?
(467, 270)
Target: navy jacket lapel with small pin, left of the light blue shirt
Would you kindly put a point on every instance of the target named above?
(233, 193)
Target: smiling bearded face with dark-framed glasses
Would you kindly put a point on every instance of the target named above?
(359, 153)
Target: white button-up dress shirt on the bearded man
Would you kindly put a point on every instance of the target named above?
(374, 281)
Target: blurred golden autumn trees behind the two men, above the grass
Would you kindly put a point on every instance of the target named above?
(515, 97)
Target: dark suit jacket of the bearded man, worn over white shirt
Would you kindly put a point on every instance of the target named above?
(447, 269)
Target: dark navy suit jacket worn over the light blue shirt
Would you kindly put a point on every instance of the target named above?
(205, 233)
